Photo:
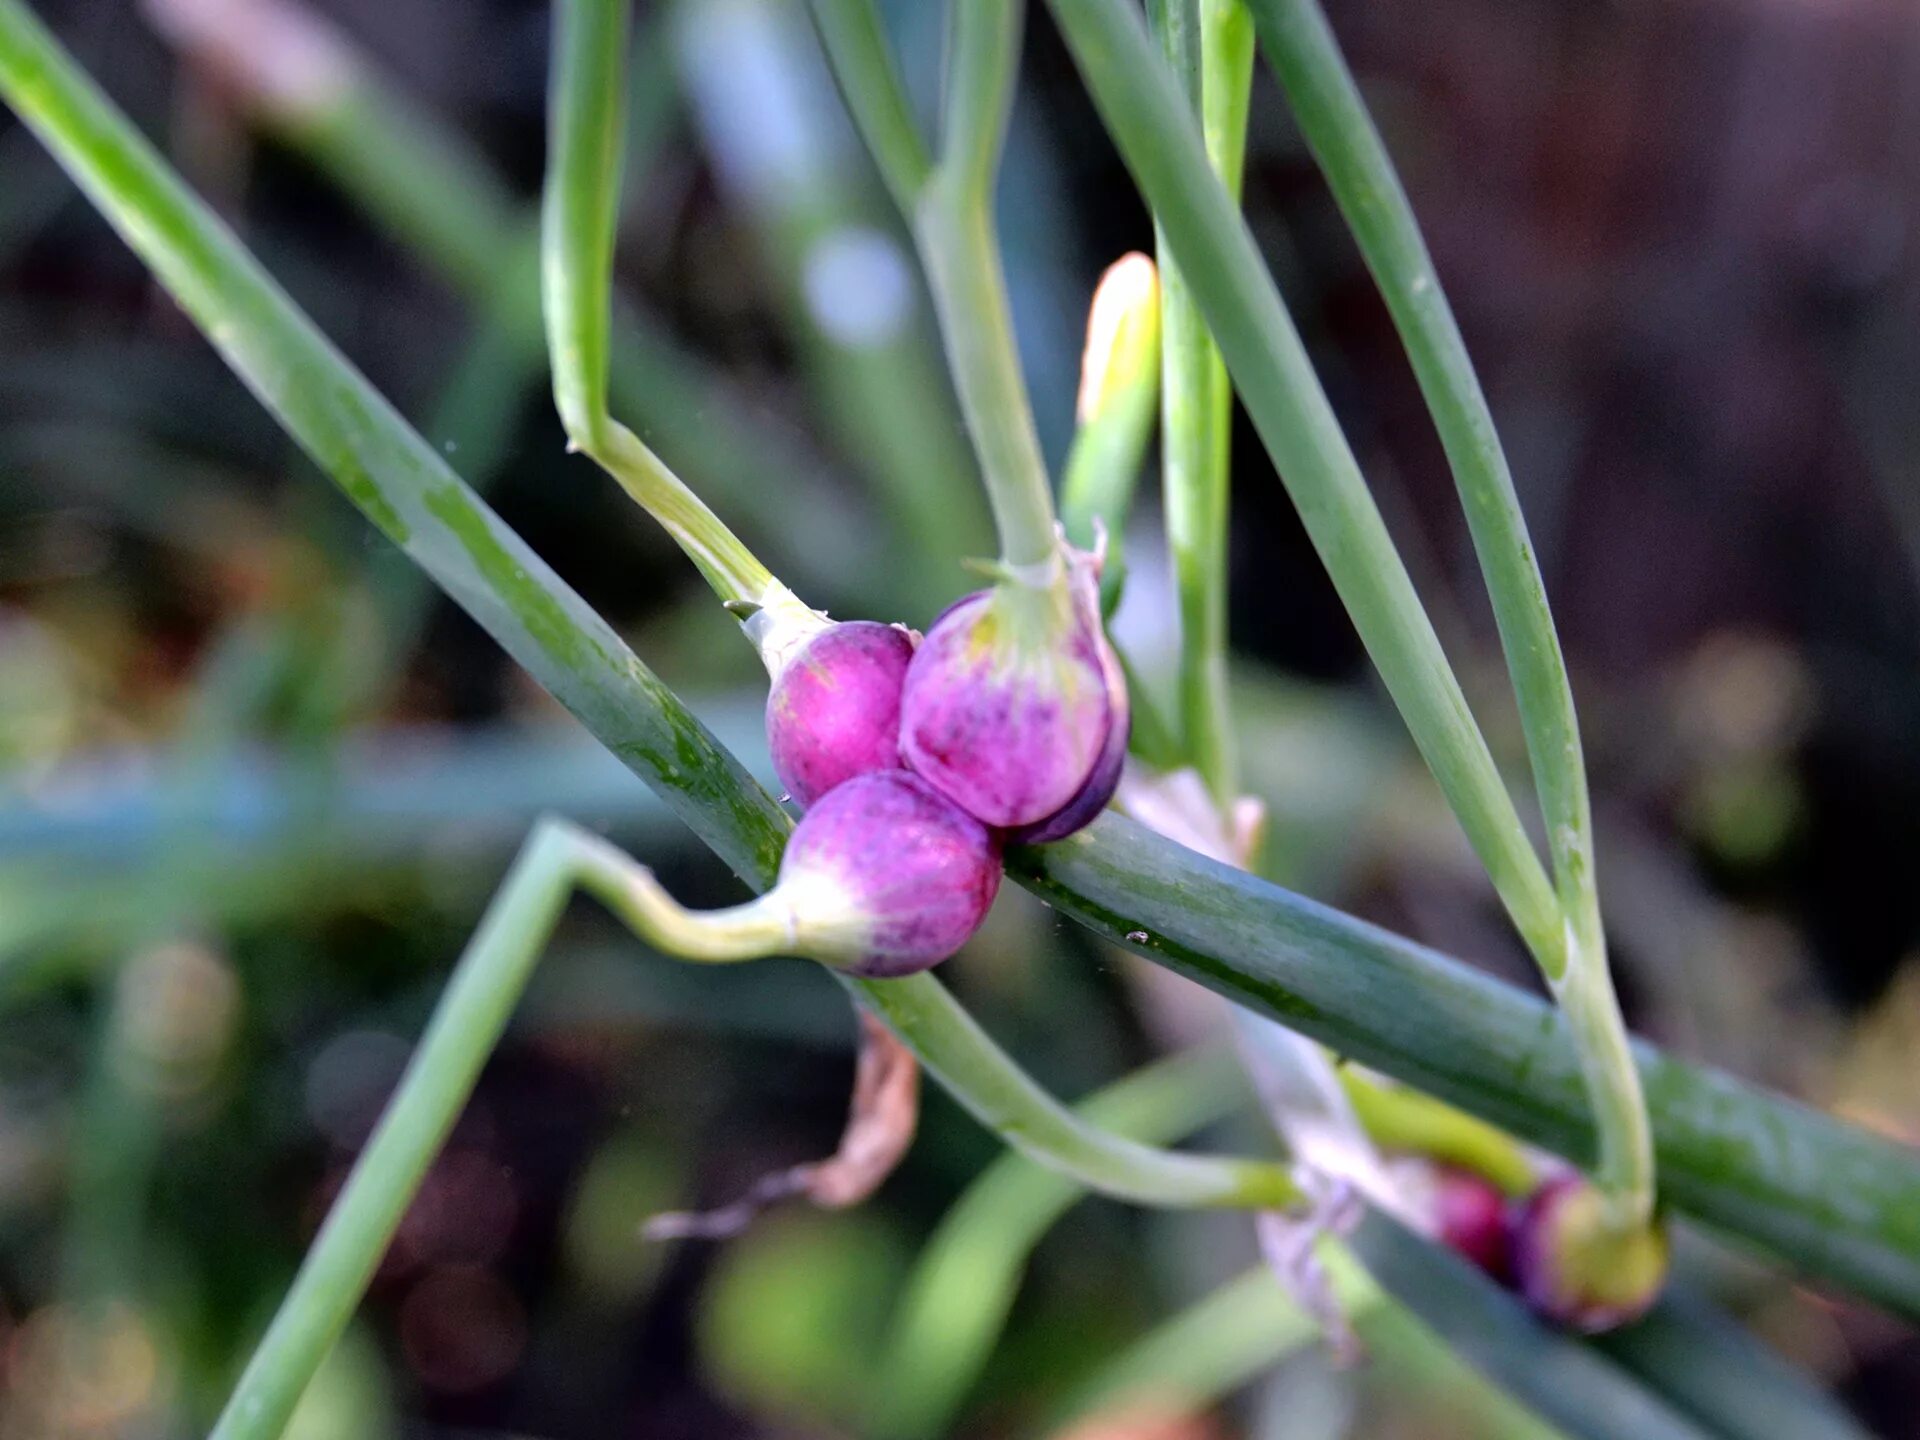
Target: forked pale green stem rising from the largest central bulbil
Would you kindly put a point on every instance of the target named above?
(949, 208)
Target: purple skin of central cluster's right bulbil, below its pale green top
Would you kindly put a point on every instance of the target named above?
(1011, 740)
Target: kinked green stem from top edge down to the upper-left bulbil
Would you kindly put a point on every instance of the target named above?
(581, 206)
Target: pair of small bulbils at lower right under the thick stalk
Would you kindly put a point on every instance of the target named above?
(1552, 1247)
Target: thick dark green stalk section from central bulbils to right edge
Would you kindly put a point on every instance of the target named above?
(1833, 1199)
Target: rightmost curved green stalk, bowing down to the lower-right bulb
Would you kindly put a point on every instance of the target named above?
(1335, 122)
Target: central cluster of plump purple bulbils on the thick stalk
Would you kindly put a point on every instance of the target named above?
(917, 761)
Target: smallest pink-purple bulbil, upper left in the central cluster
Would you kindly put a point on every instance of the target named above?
(836, 709)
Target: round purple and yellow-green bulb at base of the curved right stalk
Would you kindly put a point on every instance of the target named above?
(1572, 1270)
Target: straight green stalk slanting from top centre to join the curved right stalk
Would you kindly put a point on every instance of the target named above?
(1157, 137)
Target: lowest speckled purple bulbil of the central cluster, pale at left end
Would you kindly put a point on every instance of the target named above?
(917, 863)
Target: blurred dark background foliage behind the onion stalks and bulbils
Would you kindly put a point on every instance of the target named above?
(256, 780)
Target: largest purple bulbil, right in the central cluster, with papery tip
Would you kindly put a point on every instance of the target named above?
(1017, 711)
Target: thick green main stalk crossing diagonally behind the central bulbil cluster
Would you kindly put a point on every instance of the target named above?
(1829, 1197)
